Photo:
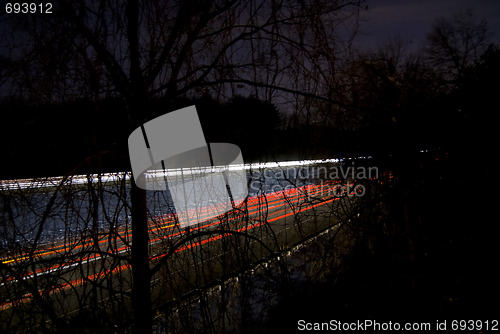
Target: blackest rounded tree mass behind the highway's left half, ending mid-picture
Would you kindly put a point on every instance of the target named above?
(80, 137)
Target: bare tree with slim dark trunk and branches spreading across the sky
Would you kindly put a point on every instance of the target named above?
(136, 50)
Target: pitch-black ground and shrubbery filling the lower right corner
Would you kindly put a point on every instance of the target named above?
(433, 256)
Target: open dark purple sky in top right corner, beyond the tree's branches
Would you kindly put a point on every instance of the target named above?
(413, 19)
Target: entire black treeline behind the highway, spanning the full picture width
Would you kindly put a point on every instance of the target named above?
(396, 107)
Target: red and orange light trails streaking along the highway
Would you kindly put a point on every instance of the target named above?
(281, 201)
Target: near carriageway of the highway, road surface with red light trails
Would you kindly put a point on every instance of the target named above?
(269, 220)
